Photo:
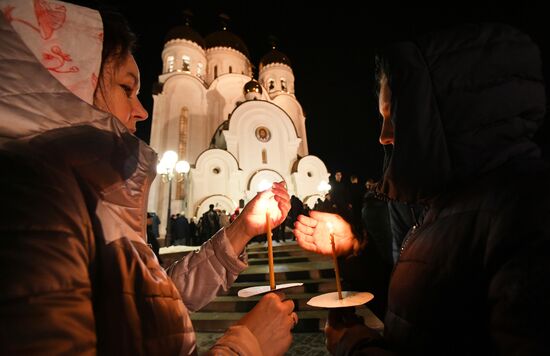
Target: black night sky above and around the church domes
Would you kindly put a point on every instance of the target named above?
(331, 49)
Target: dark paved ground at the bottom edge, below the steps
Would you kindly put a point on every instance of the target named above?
(304, 344)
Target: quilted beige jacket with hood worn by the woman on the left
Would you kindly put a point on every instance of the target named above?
(77, 276)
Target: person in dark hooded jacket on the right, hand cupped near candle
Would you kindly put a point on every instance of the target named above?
(460, 107)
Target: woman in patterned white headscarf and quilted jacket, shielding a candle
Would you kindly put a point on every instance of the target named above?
(77, 274)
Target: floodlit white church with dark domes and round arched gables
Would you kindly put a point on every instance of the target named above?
(234, 131)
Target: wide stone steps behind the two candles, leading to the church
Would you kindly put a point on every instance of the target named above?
(291, 264)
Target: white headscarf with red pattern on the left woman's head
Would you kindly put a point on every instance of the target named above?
(66, 38)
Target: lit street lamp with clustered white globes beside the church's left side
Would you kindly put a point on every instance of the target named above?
(169, 168)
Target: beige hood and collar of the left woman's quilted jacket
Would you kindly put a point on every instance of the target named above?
(36, 108)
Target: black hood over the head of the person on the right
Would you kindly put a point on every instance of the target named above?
(464, 101)
